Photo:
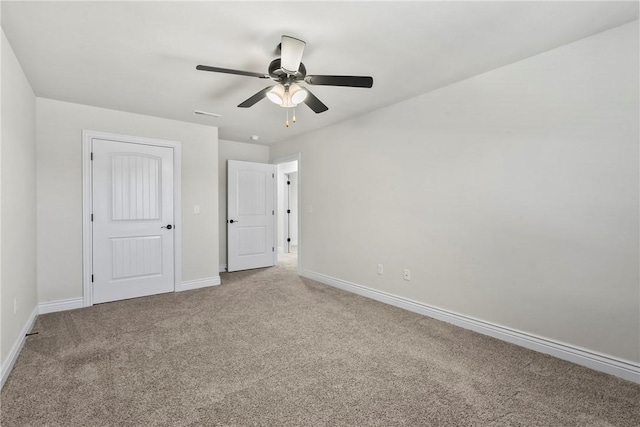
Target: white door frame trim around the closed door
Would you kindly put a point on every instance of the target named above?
(87, 203)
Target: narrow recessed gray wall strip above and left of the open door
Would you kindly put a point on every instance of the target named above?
(232, 150)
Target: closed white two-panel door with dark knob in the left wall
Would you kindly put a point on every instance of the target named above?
(133, 229)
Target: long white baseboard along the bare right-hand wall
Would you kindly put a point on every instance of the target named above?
(620, 368)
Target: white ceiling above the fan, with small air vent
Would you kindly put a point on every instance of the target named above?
(140, 56)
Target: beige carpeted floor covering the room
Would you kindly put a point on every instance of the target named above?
(269, 348)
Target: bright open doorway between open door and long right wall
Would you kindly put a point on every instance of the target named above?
(287, 210)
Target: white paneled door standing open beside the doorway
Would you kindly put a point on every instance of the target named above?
(250, 215)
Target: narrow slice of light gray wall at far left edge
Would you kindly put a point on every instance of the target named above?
(17, 201)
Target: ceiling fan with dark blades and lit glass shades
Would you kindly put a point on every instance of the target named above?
(288, 71)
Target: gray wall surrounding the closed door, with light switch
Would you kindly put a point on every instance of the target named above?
(59, 127)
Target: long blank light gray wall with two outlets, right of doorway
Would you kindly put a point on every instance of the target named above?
(512, 196)
